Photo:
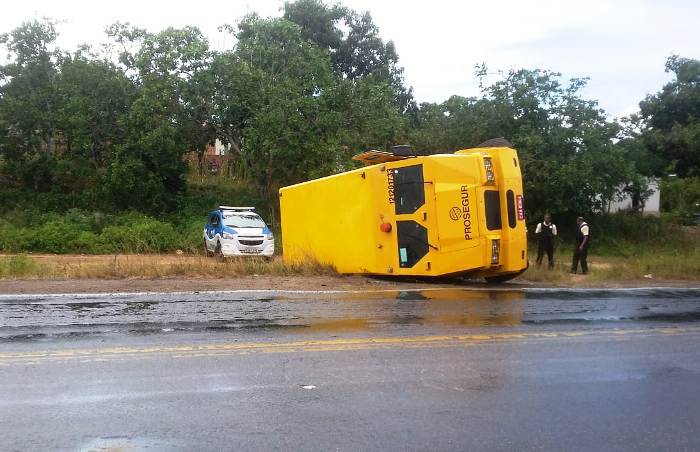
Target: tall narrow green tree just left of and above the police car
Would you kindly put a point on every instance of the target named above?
(169, 118)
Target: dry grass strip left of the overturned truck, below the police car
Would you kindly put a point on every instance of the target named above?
(151, 266)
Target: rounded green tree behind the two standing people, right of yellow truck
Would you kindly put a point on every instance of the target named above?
(567, 146)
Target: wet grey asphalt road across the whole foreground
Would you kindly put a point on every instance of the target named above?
(413, 370)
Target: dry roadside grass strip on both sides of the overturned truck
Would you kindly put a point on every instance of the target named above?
(602, 269)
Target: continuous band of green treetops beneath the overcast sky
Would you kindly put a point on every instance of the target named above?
(294, 98)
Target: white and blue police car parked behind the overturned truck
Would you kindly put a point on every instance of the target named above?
(237, 231)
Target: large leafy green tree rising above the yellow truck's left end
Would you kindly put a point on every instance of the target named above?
(280, 82)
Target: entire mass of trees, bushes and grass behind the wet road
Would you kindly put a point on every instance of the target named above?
(123, 148)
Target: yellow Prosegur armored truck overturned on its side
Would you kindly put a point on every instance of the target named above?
(409, 214)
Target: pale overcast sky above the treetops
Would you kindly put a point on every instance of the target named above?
(620, 44)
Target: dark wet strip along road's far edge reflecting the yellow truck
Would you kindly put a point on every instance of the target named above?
(46, 319)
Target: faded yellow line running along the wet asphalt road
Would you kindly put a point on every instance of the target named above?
(345, 344)
